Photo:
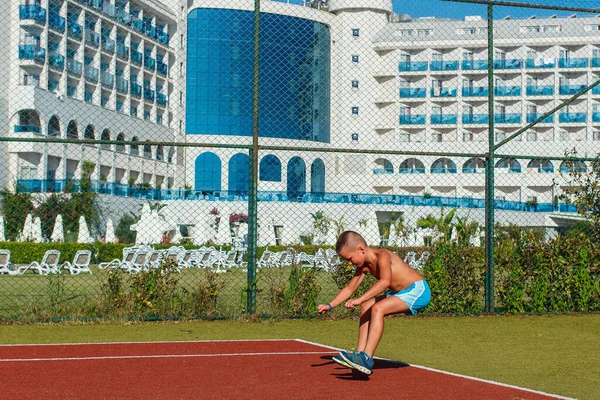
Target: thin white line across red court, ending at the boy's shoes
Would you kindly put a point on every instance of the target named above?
(8, 360)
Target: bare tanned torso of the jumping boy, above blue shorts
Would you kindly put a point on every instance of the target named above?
(402, 275)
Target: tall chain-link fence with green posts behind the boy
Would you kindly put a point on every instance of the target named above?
(199, 159)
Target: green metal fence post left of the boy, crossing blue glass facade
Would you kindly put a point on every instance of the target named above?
(252, 195)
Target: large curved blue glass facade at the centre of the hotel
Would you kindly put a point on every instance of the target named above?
(294, 75)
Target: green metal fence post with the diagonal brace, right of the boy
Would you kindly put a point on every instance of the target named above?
(489, 174)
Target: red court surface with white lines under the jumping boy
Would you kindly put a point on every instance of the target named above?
(278, 369)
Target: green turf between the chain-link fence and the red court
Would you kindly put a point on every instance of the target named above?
(556, 354)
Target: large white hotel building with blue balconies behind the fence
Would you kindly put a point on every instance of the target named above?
(352, 75)
